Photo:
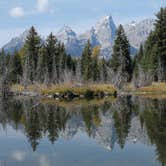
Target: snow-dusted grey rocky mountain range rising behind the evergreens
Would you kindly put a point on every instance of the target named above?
(102, 34)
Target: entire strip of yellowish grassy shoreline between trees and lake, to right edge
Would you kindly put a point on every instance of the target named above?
(99, 91)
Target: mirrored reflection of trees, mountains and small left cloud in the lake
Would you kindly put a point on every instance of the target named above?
(126, 119)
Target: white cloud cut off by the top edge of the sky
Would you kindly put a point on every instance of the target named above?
(42, 5)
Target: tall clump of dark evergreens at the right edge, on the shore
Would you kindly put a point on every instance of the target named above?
(152, 65)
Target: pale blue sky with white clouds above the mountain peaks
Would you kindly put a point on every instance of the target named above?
(50, 15)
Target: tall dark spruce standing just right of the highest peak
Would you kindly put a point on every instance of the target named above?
(121, 63)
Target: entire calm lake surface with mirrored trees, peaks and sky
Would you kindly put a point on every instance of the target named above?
(127, 131)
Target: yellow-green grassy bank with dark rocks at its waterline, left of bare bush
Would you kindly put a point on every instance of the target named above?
(66, 90)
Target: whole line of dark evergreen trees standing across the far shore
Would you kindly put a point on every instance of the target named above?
(47, 62)
